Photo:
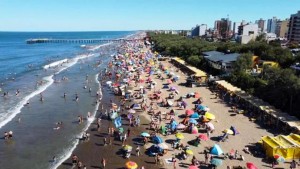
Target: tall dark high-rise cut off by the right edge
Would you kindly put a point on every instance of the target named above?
(294, 28)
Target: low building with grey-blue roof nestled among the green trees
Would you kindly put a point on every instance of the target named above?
(221, 61)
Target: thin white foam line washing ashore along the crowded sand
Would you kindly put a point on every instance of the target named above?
(68, 151)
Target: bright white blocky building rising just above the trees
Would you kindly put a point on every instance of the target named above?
(247, 32)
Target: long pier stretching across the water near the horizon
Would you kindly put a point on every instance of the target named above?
(82, 41)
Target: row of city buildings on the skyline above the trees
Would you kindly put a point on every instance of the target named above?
(285, 30)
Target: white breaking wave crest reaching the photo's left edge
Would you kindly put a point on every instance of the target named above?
(7, 117)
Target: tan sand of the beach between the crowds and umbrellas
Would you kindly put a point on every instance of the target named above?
(91, 152)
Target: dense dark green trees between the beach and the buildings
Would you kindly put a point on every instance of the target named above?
(278, 86)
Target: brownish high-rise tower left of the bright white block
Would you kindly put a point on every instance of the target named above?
(223, 28)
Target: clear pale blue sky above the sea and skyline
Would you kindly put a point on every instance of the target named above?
(101, 15)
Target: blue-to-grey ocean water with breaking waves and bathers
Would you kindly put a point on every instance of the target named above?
(33, 81)
